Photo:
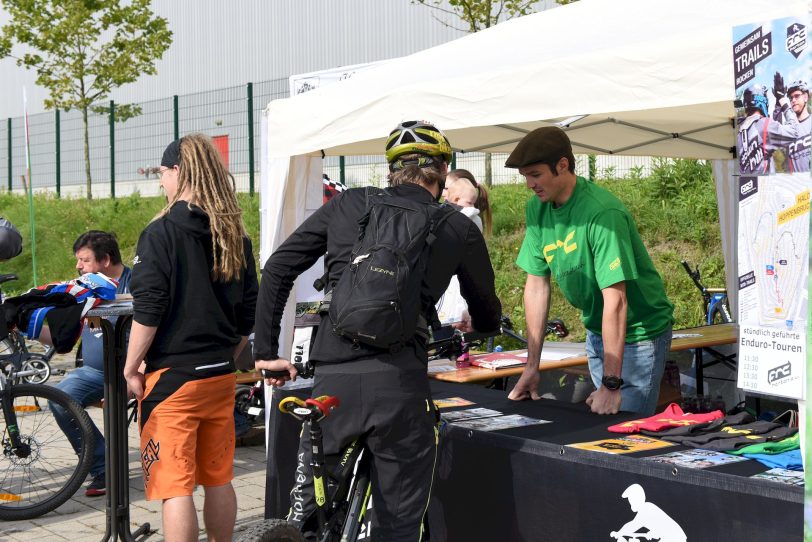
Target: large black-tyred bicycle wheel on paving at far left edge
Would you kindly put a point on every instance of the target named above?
(52, 472)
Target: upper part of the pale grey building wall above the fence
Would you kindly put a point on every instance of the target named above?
(219, 43)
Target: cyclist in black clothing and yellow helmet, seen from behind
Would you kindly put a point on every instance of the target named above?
(385, 396)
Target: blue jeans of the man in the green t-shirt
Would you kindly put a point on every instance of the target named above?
(643, 366)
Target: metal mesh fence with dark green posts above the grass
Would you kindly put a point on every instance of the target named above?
(231, 116)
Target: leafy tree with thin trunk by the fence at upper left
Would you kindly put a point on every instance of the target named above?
(83, 49)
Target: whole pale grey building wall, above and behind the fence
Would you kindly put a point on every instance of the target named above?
(218, 47)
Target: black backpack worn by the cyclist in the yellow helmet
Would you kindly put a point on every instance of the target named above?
(377, 299)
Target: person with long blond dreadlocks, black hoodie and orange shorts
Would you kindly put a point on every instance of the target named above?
(194, 290)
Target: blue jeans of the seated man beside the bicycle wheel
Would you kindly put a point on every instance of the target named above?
(85, 385)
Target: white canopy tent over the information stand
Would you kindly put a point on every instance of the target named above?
(637, 77)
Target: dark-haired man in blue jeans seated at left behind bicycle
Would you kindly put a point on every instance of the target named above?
(96, 252)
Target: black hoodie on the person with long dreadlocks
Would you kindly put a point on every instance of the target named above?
(198, 320)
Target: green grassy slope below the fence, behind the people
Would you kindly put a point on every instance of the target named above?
(675, 225)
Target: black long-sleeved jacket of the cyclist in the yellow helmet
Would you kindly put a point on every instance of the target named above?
(333, 229)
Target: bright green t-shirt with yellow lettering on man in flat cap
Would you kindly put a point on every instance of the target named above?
(590, 243)
